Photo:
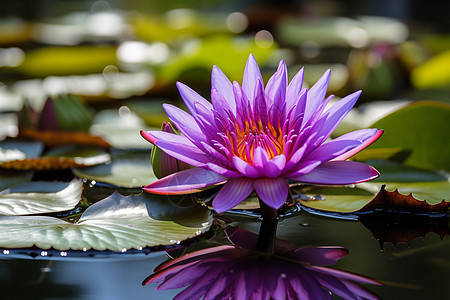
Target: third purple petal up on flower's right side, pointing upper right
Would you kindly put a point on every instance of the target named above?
(334, 115)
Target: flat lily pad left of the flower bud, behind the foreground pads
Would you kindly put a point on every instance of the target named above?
(130, 169)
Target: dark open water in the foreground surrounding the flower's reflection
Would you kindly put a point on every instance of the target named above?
(418, 271)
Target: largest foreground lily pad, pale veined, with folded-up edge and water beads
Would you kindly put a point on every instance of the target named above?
(116, 223)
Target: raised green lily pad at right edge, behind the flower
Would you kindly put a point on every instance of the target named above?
(422, 129)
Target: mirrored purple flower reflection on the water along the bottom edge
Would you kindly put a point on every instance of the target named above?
(238, 272)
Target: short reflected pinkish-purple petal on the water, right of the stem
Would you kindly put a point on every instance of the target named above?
(321, 256)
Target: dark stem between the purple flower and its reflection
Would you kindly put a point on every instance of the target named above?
(268, 229)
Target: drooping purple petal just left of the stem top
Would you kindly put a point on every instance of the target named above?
(232, 193)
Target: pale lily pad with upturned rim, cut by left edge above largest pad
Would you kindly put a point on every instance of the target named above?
(40, 197)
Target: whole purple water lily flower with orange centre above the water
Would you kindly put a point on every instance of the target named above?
(255, 138)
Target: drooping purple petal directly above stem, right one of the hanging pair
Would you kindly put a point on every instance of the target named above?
(272, 191)
